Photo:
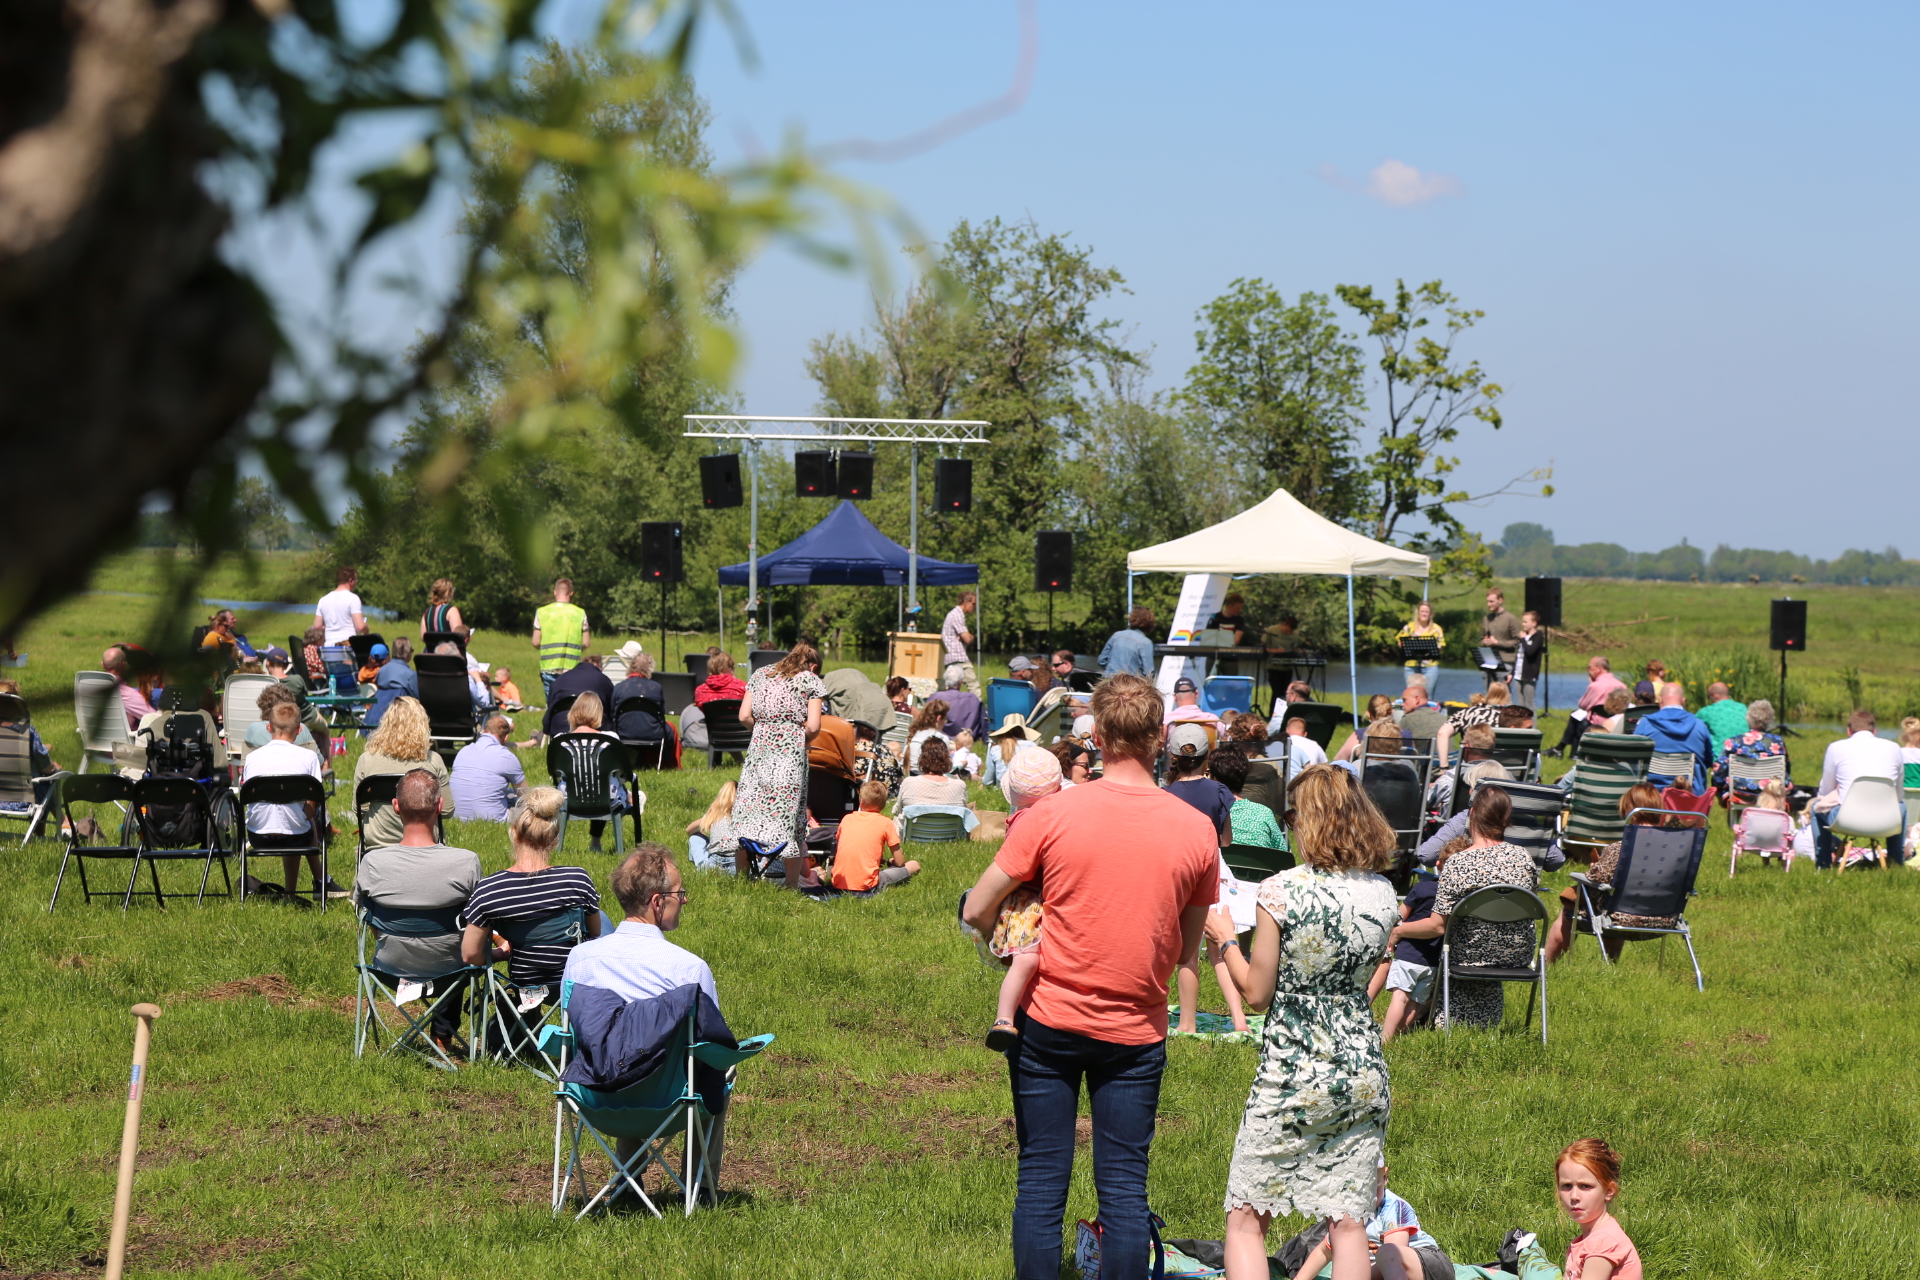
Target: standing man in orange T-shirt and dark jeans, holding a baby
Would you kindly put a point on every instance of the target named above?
(1126, 874)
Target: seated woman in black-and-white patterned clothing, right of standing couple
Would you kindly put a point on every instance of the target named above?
(1487, 861)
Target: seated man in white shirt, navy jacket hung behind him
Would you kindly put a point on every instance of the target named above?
(636, 962)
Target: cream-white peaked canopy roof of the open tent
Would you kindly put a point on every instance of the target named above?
(1280, 536)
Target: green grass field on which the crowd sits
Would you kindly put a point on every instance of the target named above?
(1769, 1126)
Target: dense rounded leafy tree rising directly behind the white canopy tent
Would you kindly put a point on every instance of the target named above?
(1284, 391)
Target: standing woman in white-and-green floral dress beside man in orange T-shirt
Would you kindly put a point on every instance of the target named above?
(1316, 1122)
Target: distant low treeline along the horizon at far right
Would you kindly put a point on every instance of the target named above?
(1527, 550)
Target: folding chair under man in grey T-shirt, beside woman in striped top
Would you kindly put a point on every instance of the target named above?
(402, 1031)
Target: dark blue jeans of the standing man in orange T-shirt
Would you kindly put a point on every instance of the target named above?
(1124, 1089)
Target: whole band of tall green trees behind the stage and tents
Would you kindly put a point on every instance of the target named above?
(1351, 400)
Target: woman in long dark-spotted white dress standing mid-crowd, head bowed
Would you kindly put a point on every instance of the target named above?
(784, 709)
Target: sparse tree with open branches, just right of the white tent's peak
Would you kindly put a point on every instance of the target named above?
(1429, 396)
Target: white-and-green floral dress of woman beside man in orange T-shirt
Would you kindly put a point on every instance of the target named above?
(1316, 1122)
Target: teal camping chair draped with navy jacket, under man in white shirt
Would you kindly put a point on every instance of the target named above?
(648, 1114)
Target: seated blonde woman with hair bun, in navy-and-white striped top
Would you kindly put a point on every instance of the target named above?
(539, 909)
